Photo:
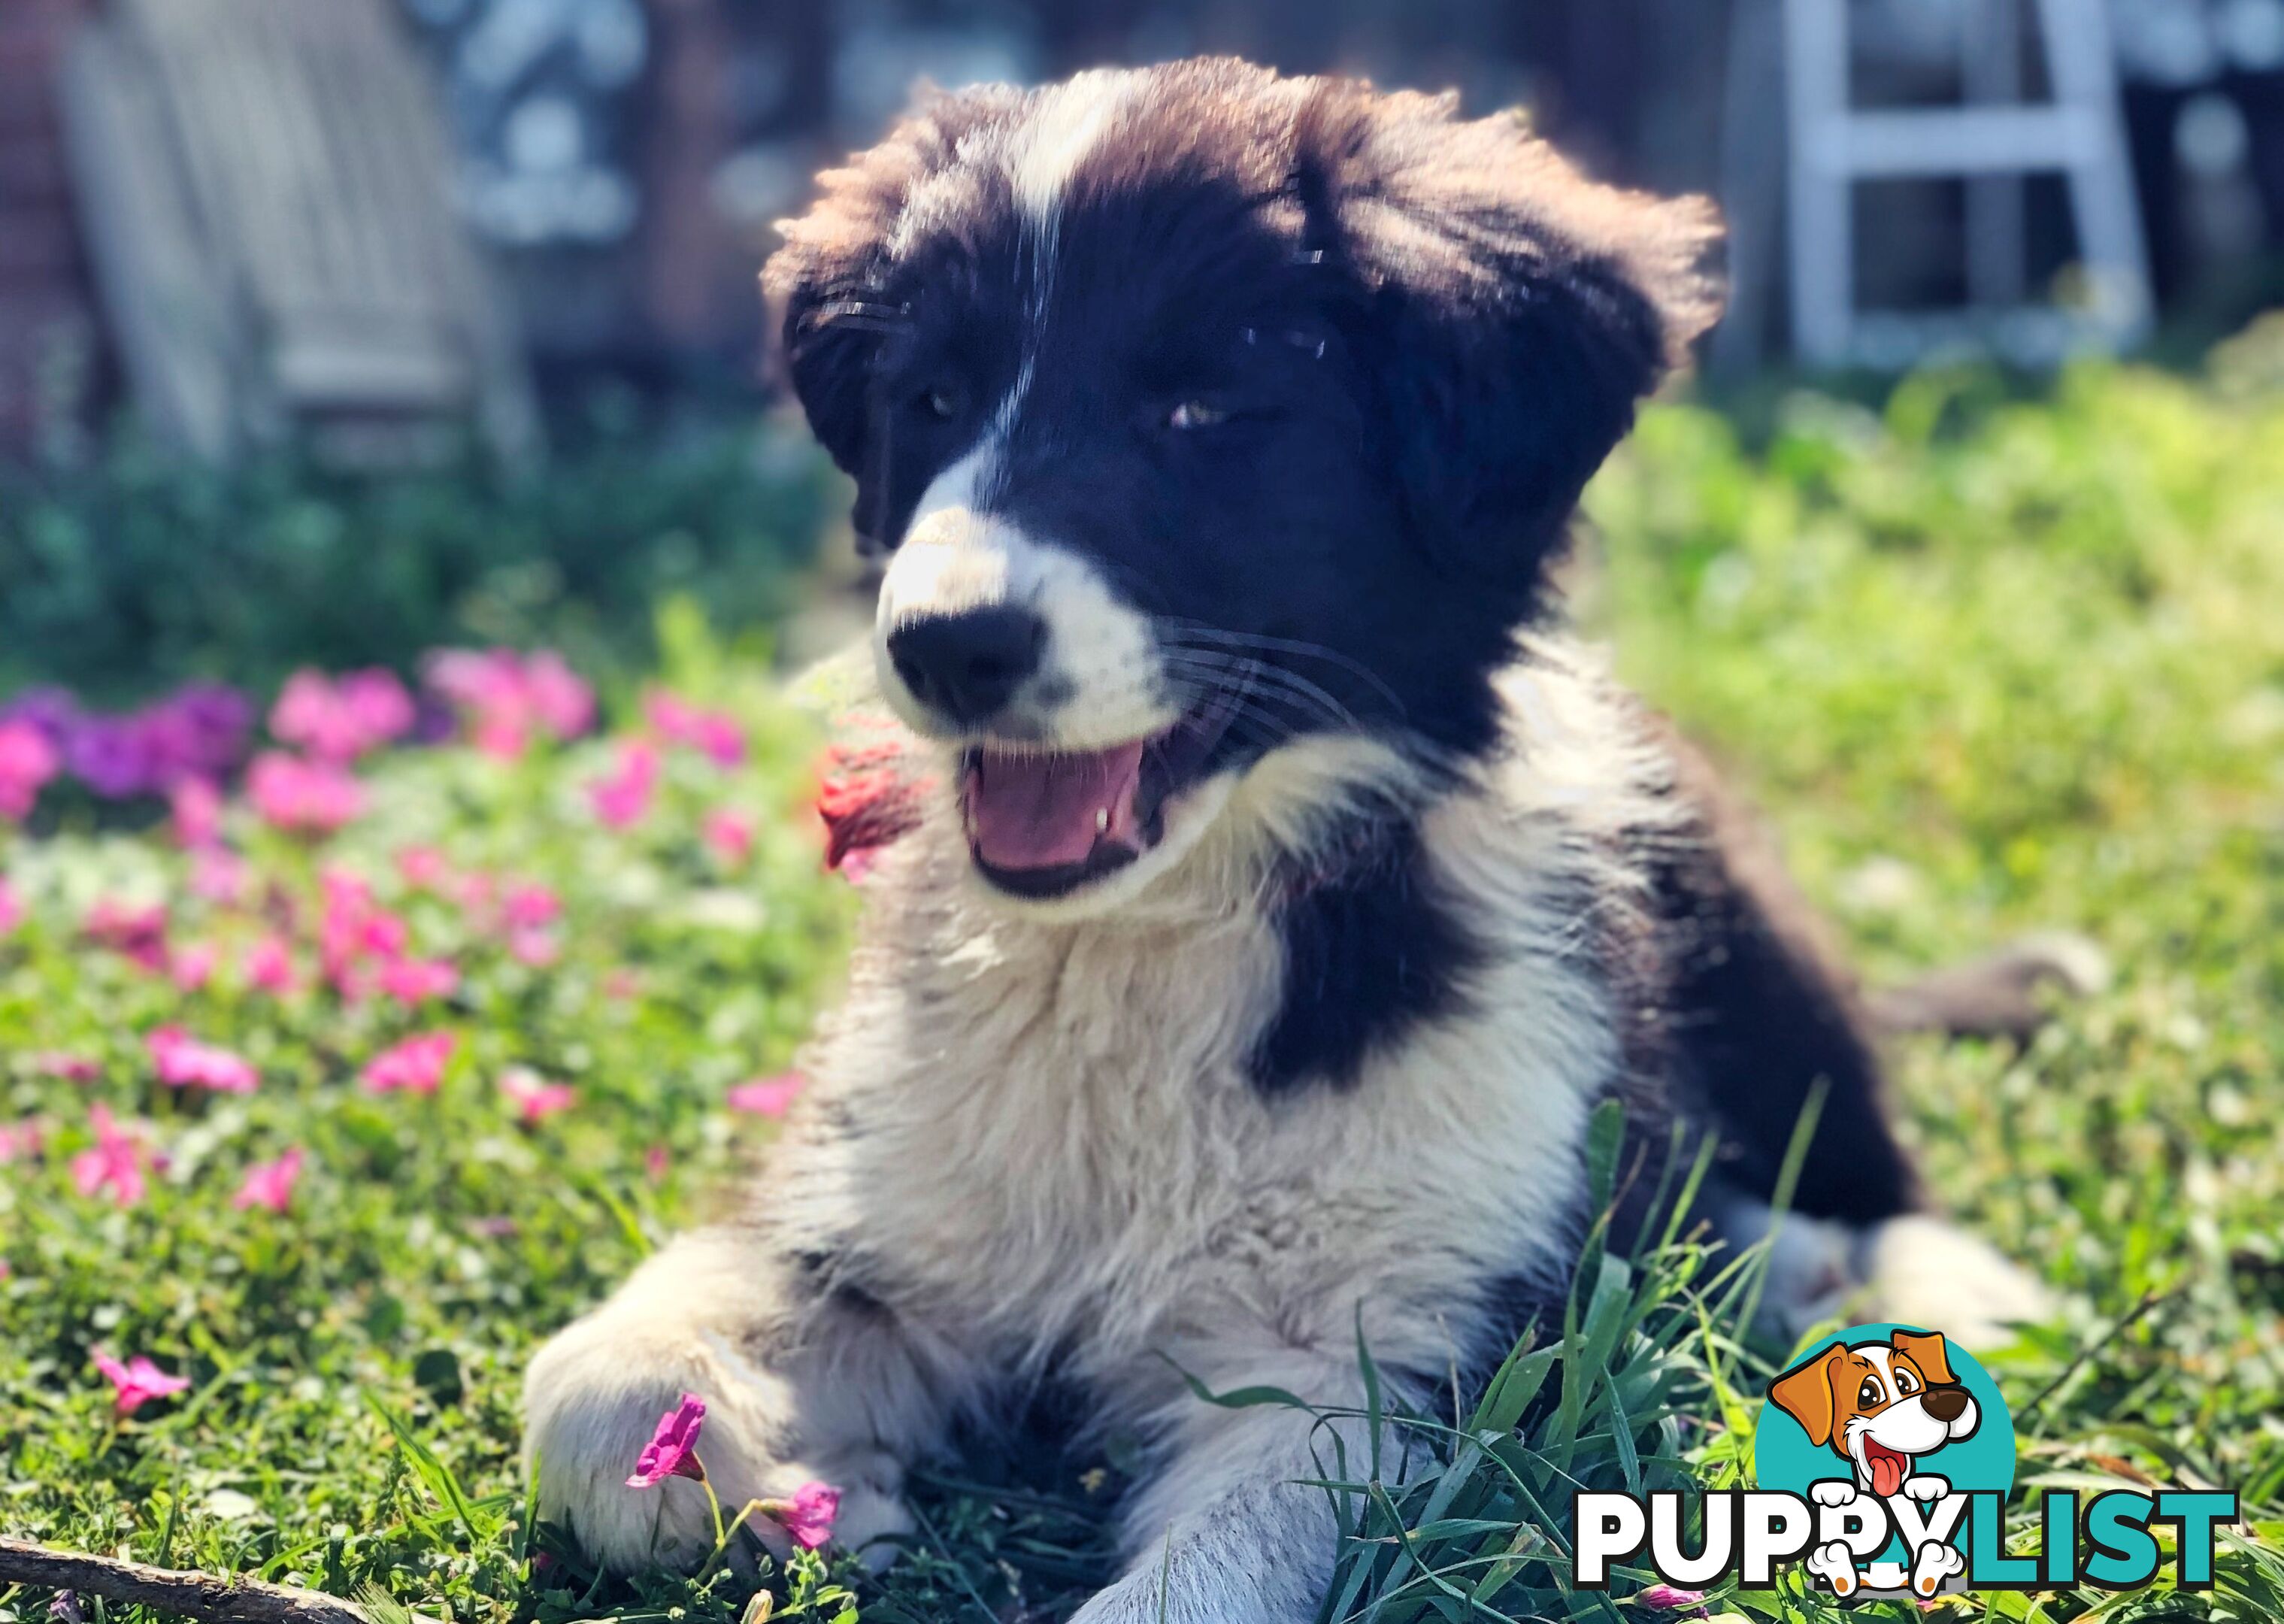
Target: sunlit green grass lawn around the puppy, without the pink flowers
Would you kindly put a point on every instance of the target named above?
(1993, 666)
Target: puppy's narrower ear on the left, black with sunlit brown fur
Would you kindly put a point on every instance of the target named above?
(828, 280)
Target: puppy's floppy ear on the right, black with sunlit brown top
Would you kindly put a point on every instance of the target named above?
(1515, 312)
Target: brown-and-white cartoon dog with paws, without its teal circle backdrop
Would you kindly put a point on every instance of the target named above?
(1883, 1408)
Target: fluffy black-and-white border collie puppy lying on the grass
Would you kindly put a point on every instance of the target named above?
(1282, 894)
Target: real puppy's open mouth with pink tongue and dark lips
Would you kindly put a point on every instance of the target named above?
(1045, 823)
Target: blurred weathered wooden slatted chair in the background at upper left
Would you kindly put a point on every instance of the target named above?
(266, 195)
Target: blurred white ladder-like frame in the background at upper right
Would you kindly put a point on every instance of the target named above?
(1993, 143)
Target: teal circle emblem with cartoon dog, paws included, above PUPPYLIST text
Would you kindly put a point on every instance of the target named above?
(1899, 1415)
